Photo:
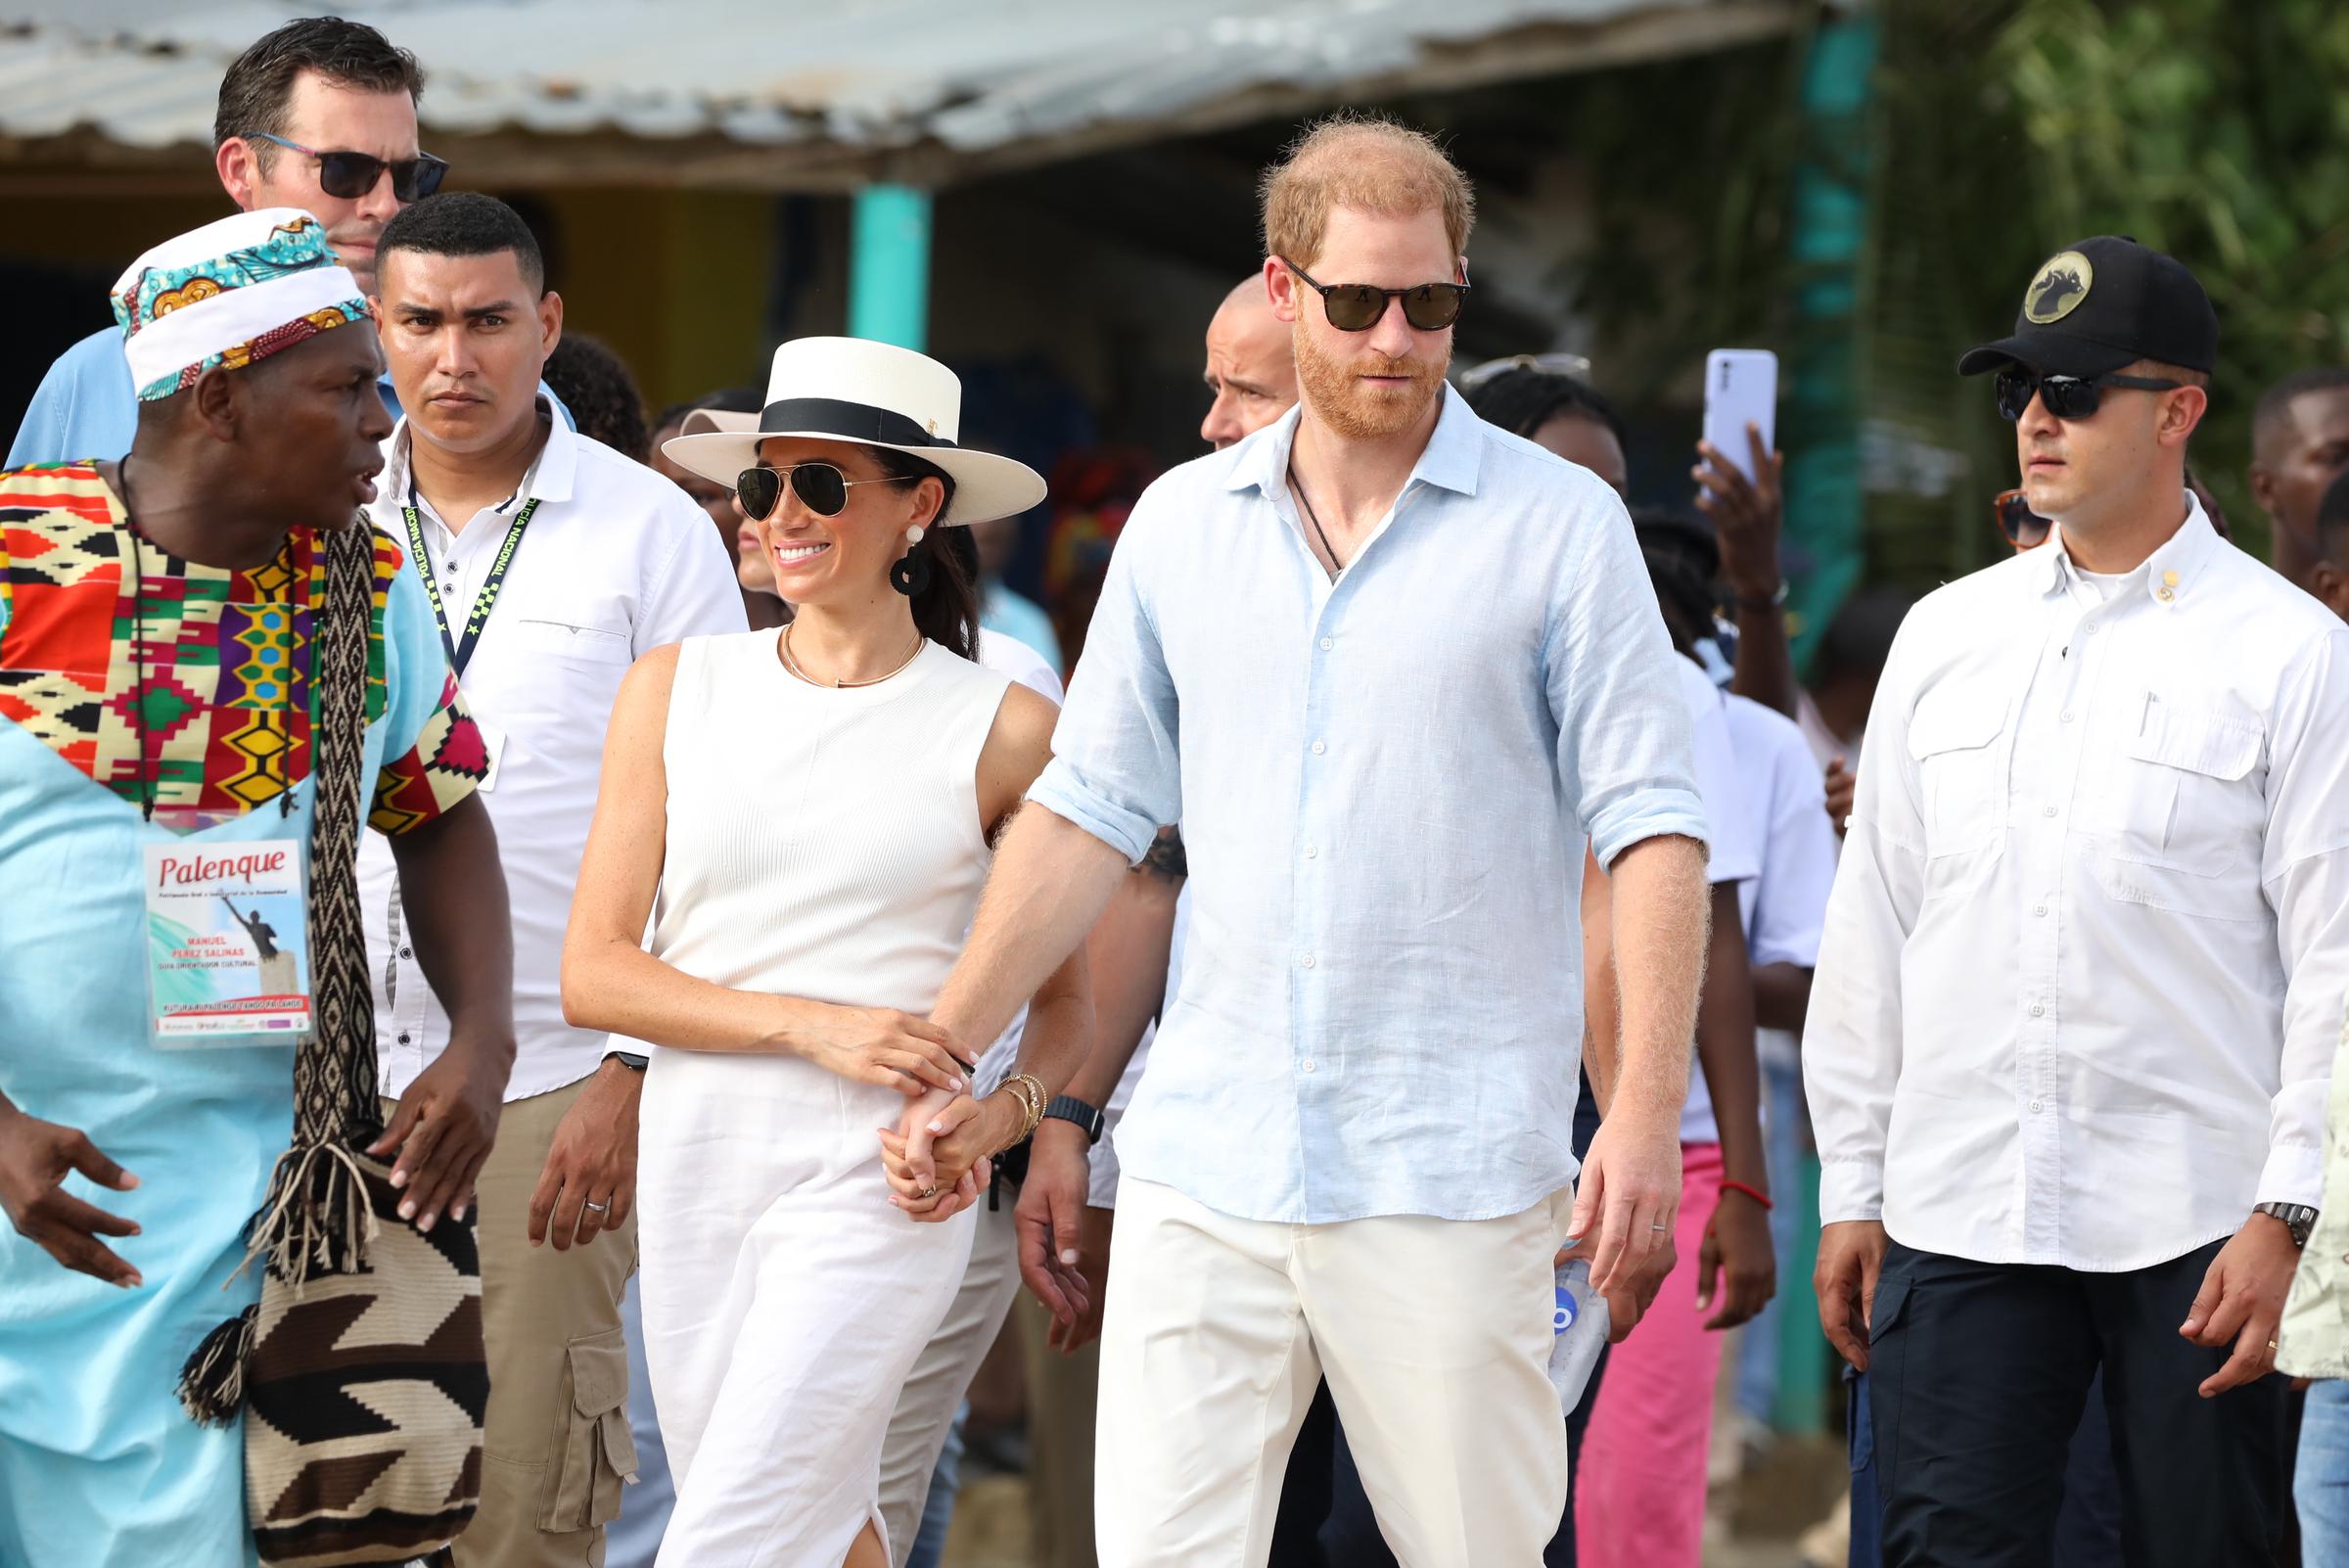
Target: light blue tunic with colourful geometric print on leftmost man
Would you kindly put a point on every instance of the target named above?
(130, 675)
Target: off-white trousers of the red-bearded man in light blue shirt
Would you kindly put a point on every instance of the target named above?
(1434, 1337)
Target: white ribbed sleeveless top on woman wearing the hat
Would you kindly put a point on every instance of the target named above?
(823, 842)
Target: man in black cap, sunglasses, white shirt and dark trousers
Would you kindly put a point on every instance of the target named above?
(2075, 1011)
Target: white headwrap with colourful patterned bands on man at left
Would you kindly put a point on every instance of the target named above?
(234, 295)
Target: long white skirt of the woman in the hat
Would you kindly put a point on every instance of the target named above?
(786, 1302)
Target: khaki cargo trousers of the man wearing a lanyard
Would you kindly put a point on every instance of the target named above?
(558, 1442)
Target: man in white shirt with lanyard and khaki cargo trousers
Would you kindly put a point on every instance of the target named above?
(553, 565)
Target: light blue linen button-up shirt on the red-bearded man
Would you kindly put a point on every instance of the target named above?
(1385, 788)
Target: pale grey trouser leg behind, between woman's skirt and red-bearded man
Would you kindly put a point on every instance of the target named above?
(934, 1393)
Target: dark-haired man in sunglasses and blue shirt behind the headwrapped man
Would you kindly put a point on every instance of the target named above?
(316, 116)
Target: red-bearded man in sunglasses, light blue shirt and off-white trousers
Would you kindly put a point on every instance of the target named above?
(1389, 668)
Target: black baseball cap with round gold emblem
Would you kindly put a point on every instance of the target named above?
(2106, 304)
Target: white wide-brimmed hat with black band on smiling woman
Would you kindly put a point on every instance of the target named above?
(873, 396)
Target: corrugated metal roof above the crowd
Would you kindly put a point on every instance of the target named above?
(859, 76)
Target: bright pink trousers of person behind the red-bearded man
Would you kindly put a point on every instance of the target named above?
(1641, 1487)
